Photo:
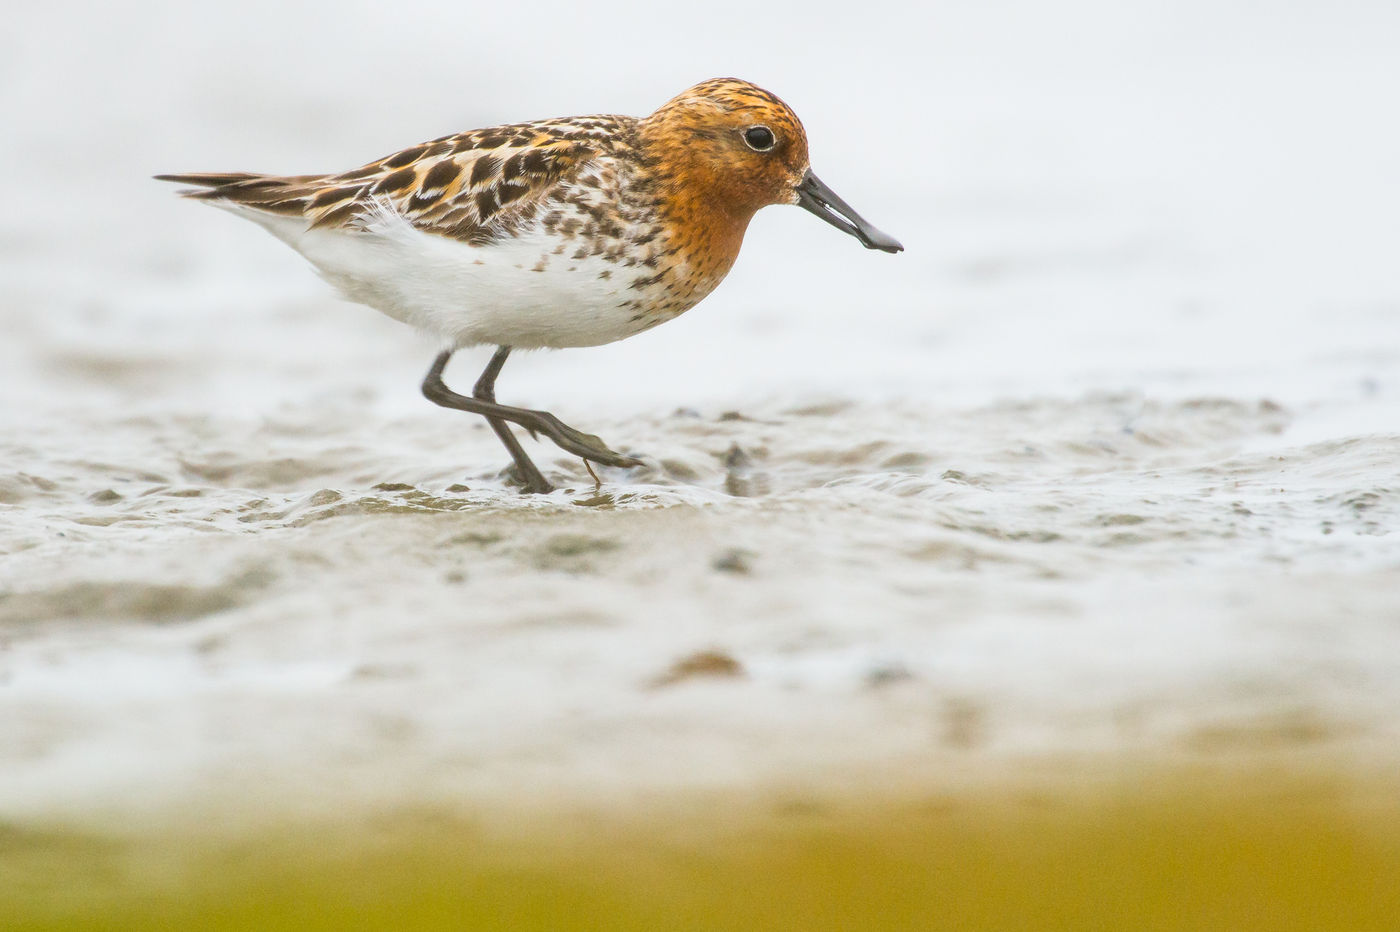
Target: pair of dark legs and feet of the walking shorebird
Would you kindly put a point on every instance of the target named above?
(484, 404)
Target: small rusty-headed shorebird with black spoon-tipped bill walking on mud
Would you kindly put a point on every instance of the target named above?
(558, 233)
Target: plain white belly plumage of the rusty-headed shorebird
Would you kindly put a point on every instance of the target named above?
(516, 292)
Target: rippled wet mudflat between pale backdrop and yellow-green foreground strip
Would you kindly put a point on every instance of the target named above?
(860, 581)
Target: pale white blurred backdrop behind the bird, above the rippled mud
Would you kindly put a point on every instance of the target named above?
(1095, 194)
